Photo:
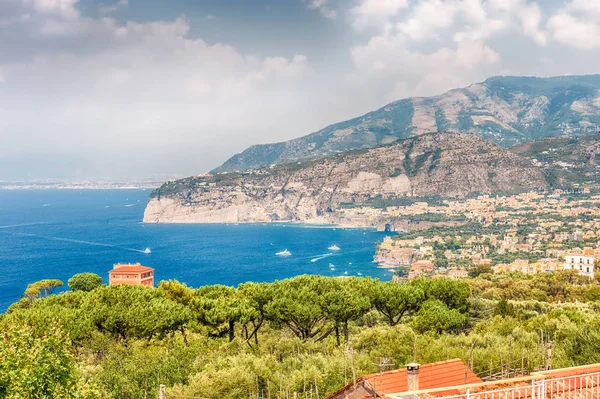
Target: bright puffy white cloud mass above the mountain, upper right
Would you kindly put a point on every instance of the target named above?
(435, 45)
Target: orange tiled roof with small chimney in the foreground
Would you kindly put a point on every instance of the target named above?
(412, 378)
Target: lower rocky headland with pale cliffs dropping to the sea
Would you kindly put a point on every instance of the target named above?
(445, 164)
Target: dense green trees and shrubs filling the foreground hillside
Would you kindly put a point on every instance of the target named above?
(296, 335)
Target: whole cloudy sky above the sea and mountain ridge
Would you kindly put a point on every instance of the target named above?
(119, 89)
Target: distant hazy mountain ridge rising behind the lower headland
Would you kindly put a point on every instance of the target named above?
(505, 110)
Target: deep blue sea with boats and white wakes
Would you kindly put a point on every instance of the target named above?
(59, 233)
